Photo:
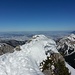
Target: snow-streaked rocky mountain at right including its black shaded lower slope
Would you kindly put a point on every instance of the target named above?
(66, 46)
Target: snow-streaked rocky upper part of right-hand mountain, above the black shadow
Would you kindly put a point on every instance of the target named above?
(66, 45)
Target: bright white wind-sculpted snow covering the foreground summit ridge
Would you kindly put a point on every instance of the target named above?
(26, 61)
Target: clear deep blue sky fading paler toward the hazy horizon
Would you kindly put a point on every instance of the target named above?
(37, 15)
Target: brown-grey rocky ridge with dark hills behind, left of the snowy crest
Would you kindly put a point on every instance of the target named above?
(8, 46)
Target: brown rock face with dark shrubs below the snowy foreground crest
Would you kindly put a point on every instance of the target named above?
(49, 67)
